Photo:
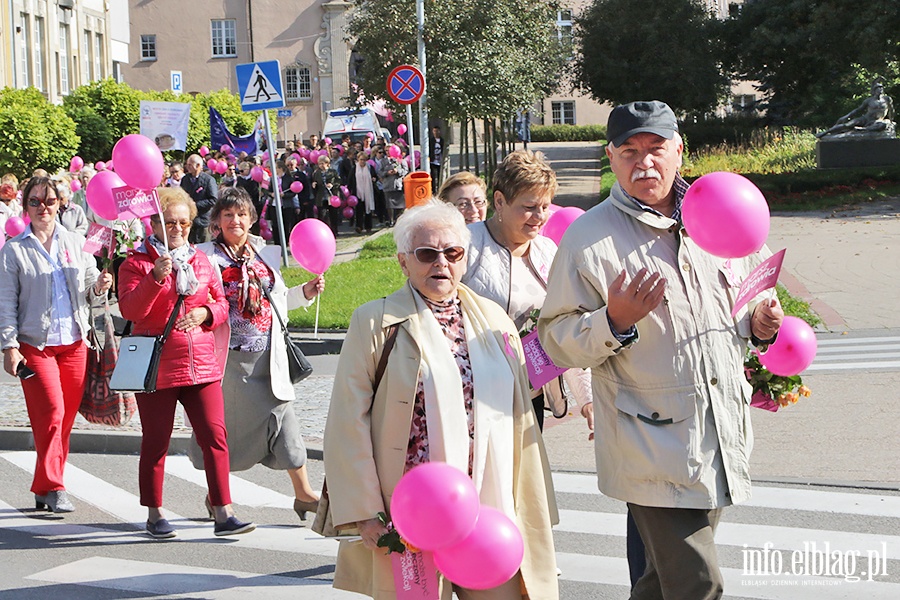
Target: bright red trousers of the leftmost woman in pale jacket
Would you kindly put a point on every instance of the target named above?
(53, 396)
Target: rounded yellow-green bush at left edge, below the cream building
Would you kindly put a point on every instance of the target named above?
(35, 133)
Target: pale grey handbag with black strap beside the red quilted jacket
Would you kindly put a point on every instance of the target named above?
(138, 364)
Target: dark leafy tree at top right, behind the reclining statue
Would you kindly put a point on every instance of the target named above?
(810, 55)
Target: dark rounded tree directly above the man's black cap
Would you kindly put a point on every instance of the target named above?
(663, 50)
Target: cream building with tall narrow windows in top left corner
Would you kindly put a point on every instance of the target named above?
(58, 45)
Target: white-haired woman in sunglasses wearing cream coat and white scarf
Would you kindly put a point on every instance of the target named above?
(452, 388)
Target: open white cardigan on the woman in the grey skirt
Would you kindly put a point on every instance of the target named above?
(284, 299)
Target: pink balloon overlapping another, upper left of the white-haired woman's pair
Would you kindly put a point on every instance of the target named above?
(434, 505)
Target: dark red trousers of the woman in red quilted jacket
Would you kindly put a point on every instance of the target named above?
(206, 409)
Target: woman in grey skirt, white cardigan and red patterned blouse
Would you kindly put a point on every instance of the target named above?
(259, 417)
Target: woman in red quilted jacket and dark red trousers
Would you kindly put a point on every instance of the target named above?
(150, 281)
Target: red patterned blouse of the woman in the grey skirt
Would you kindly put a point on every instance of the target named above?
(248, 333)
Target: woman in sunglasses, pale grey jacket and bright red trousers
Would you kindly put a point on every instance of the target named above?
(46, 284)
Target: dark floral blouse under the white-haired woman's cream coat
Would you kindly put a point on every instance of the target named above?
(449, 317)
